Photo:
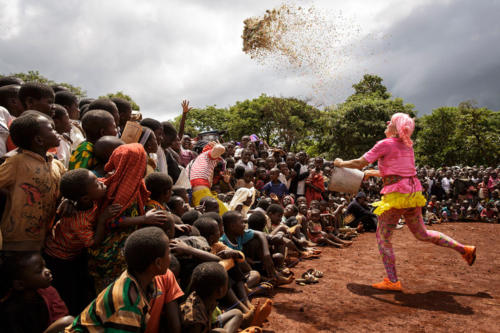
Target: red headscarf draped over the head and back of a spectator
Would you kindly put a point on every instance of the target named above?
(126, 184)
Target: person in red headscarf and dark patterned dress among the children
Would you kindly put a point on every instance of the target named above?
(125, 186)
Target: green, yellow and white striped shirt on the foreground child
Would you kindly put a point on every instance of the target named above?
(114, 310)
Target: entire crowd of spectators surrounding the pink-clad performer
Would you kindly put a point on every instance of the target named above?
(165, 232)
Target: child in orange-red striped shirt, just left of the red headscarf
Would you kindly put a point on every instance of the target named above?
(70, 236)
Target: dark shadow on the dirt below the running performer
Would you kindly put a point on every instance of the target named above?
(432, 300)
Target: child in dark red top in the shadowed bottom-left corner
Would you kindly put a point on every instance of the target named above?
(28, 304)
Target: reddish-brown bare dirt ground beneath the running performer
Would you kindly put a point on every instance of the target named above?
(442, 293)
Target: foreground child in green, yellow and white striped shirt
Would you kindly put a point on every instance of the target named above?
(124, 305)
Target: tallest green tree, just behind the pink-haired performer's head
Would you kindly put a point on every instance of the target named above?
(350, 129)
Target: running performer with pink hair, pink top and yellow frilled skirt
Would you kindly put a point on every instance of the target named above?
(401, 195)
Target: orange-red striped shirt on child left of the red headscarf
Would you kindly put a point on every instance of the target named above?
(72, 234)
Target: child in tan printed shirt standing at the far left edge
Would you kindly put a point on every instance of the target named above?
(31, 178)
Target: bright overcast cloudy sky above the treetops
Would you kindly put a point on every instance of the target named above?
(430, 53)
